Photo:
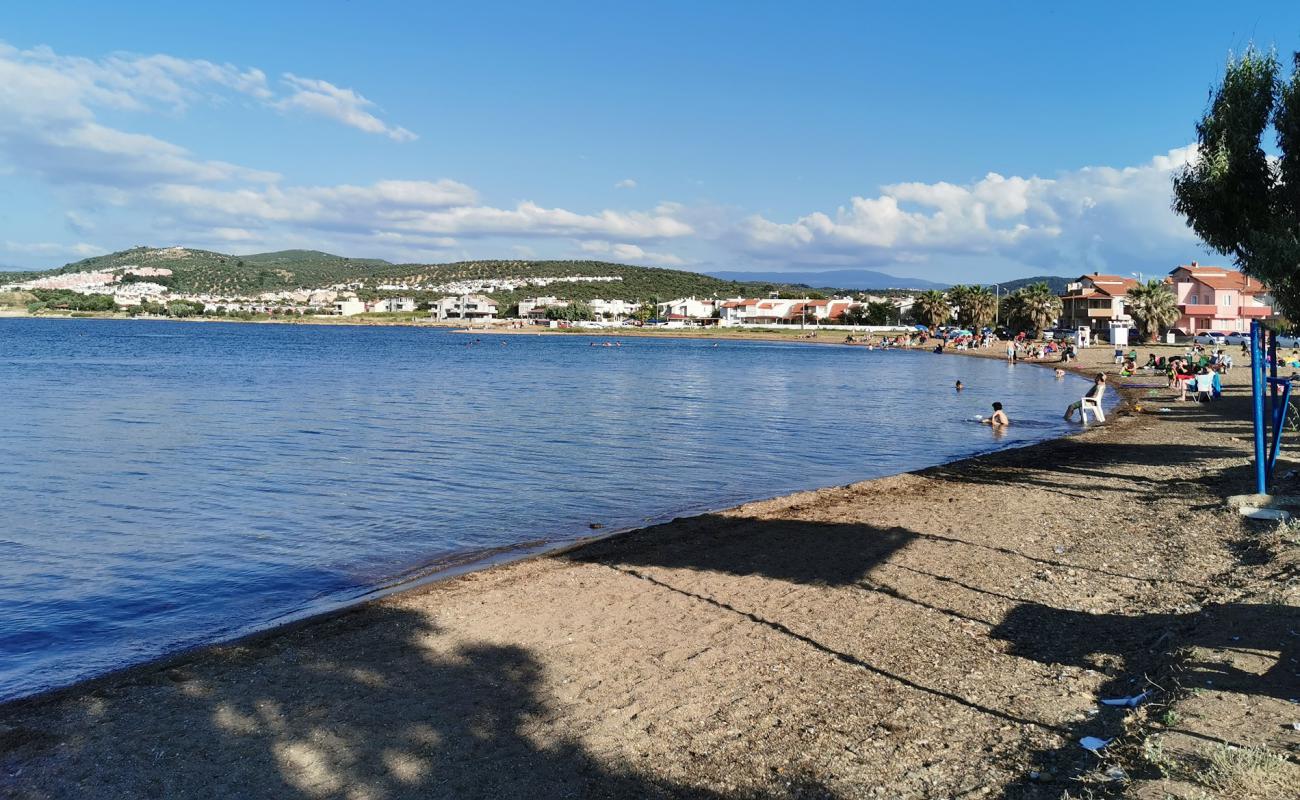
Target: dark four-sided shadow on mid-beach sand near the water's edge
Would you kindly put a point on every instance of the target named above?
(788, 550)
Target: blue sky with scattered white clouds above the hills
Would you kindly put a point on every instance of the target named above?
(947, 141)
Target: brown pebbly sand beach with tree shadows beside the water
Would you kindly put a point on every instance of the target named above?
(941, 634)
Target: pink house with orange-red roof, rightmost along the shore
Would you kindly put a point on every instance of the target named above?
(1215, 299)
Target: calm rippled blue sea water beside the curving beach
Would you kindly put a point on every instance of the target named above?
(171, 485)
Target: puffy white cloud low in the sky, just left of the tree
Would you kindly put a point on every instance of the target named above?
(1086, 218)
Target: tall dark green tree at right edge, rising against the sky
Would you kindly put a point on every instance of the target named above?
(1238, 201)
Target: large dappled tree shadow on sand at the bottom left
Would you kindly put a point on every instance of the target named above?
(371, 704)
